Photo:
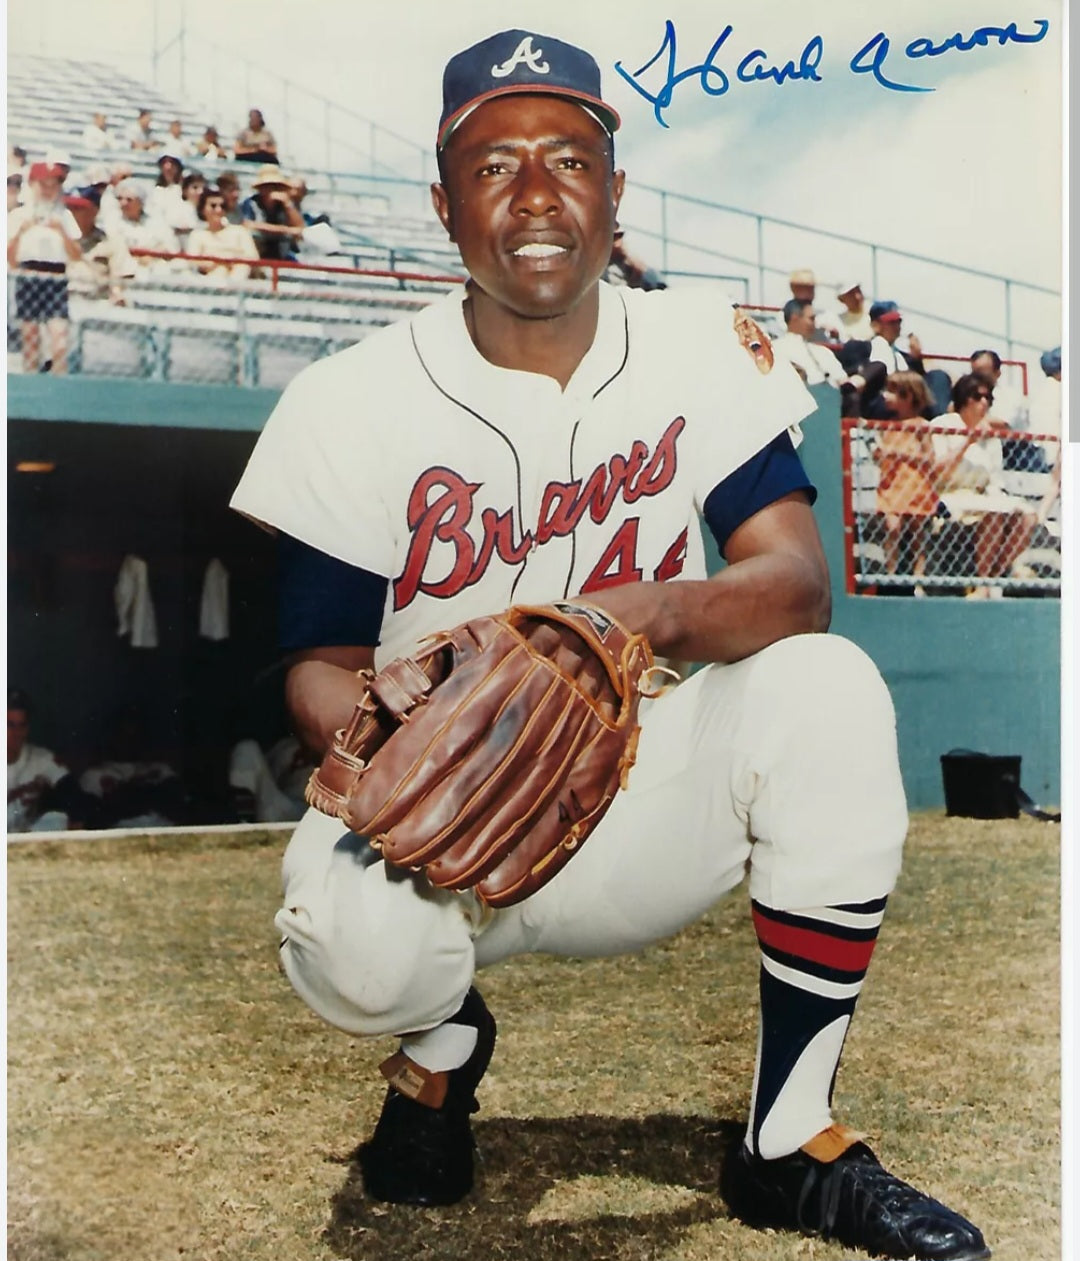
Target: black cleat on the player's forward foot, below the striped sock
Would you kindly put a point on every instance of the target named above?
(852, 1200)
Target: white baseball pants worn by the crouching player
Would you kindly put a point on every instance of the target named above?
(784, 762)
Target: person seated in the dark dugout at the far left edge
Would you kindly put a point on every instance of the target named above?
(42, 794)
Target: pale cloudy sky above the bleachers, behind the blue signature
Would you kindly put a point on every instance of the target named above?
(970, 172)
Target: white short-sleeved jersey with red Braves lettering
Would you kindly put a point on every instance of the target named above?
(472, 487)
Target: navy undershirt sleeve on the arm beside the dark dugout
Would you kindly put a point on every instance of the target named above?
(324, 602)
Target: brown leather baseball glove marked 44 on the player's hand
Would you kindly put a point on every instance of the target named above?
(489, 758)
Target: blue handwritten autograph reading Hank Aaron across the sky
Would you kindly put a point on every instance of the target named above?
(759, 67)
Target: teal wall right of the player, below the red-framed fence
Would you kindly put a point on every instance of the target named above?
(980, 675)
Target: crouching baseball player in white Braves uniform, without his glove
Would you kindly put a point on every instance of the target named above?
(541, 436)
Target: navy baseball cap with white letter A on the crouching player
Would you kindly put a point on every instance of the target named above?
(520, 61)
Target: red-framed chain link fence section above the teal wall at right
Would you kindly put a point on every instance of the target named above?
(934, 510)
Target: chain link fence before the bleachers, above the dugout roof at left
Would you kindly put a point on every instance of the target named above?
(173, 325)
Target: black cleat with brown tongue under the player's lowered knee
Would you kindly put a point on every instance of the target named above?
(422, 1152)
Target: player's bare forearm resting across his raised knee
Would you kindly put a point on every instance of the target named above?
(726, 619)
